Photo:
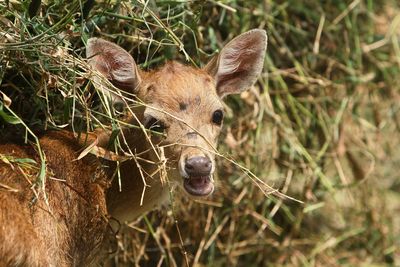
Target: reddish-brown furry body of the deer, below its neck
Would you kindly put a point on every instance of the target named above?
(66, 232)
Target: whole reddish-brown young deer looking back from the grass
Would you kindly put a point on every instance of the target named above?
(182, 102)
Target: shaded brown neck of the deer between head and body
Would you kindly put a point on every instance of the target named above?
(135, 191)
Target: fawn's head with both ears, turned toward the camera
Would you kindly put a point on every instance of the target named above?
(183, 102)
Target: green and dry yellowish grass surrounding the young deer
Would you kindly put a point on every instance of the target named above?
(322, 124)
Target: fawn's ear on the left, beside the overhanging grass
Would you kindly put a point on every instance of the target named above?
(114, 63)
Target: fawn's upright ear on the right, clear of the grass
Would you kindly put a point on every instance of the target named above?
(239, 63)
